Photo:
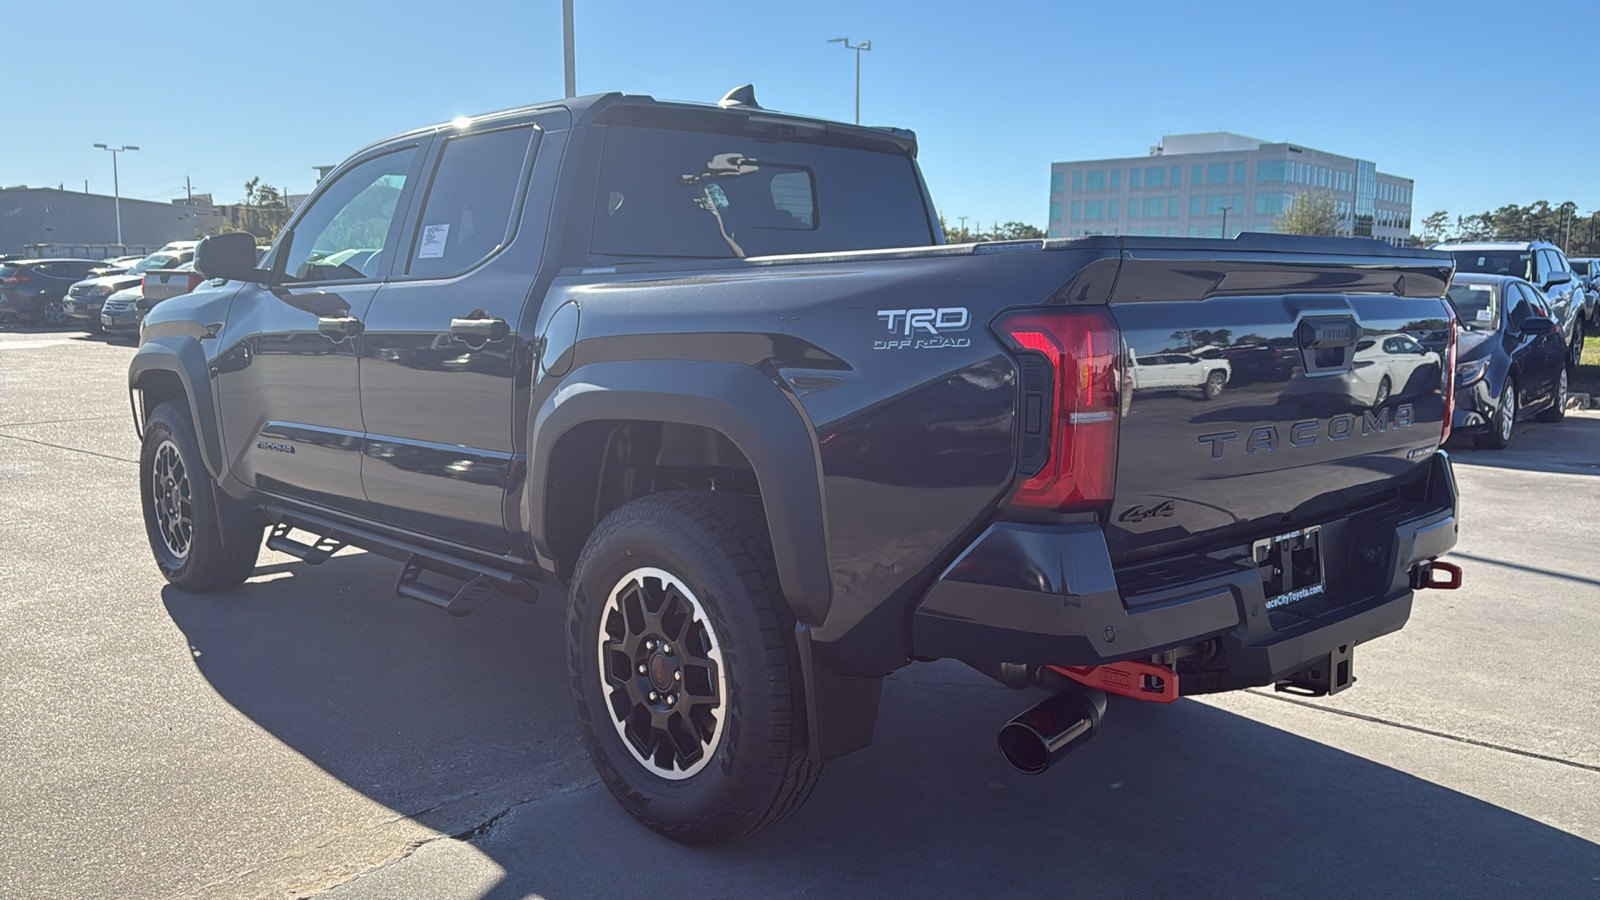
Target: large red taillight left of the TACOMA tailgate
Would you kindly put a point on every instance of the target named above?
(1084, 350)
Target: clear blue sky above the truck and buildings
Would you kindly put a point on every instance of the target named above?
(1470, 98)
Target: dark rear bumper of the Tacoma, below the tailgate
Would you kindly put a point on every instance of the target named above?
(1049, 595)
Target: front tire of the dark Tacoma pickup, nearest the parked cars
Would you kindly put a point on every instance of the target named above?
(225, 537)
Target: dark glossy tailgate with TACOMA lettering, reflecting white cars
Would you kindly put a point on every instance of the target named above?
(1266, 393)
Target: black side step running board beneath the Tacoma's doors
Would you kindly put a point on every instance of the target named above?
(476, 582)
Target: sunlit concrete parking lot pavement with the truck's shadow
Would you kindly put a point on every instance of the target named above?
(311, 734)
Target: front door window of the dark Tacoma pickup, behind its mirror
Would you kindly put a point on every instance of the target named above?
(345, 233)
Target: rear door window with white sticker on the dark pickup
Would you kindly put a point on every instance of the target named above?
(468, 211)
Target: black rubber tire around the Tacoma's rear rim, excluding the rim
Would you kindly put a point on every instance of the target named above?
(758, 771)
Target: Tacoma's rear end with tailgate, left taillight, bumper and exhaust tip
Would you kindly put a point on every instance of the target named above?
(1170, 539)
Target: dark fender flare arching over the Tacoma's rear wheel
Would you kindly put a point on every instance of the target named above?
(738, 401)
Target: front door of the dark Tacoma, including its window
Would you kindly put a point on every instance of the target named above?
(290, 395)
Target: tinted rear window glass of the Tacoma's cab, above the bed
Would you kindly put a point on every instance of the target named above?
(687, 195)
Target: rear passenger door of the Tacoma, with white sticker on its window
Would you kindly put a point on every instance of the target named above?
(442, 355)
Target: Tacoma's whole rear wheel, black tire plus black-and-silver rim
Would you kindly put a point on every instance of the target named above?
(684, 669)
